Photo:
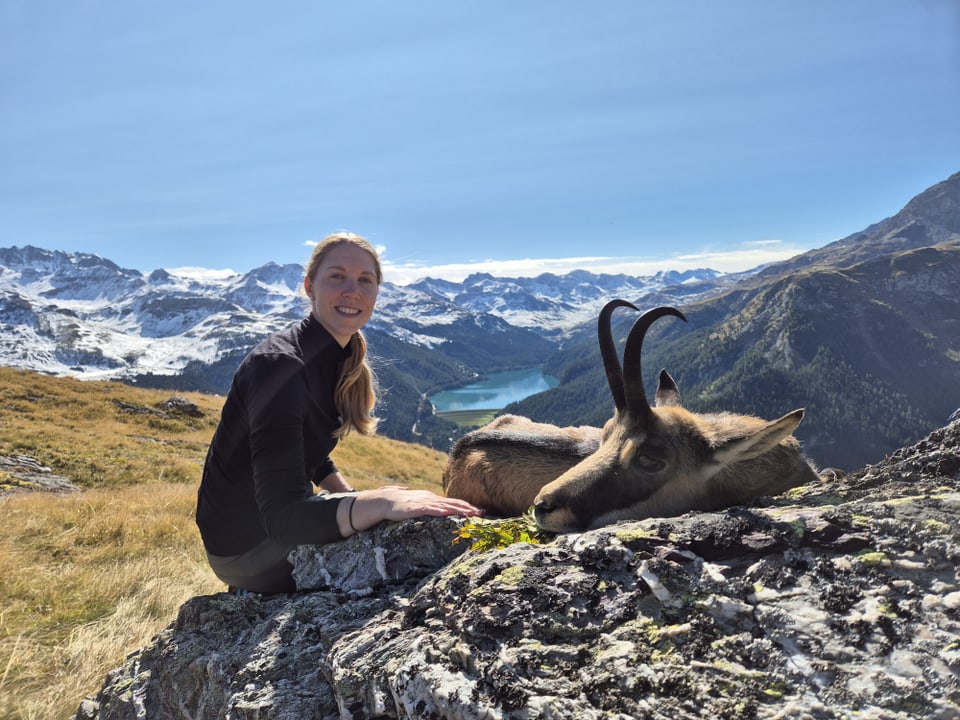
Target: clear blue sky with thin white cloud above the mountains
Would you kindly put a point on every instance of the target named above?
(504, 136)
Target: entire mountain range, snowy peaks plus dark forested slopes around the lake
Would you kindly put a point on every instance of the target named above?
(864, 332)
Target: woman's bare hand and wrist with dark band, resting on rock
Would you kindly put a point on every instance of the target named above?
(394, 502)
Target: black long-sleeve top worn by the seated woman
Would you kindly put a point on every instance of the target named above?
(272, 444)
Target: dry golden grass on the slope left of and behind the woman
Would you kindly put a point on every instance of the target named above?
(85, 578)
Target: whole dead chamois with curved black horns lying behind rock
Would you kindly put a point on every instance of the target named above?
(650, 461)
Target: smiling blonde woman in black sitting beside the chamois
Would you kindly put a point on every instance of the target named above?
(291, 399)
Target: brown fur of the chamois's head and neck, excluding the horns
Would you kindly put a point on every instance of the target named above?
(710, 462)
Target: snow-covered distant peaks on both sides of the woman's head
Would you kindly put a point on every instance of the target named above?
(80, 314)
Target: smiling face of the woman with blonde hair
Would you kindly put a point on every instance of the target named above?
(343, 291)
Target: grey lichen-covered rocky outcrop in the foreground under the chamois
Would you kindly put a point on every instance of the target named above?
(838, 600)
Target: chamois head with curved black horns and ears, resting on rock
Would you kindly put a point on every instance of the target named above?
(665, 460)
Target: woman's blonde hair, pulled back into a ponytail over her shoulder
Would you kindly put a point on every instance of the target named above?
(356, 393)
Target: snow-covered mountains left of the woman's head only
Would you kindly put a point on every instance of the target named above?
(82, 315)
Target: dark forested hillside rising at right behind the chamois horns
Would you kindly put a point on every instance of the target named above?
(866, 337)
